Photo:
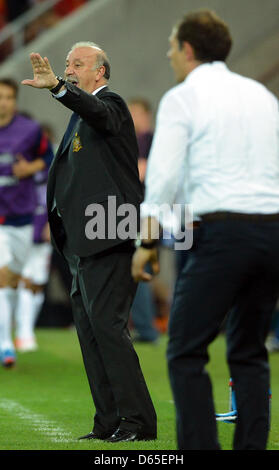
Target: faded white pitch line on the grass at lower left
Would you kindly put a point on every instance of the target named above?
(37, 422)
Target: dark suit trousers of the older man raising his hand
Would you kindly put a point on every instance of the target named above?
(102, 294)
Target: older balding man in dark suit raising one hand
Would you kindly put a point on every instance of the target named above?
(97, 158)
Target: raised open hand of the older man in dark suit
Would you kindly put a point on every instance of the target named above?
(44, 76)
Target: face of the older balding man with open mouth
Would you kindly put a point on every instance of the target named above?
(80, 68)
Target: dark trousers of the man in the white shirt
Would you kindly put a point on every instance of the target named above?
(233, 267)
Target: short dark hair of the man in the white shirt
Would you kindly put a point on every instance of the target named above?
(208, 34)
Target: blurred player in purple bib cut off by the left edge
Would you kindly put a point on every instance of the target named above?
(24, 151)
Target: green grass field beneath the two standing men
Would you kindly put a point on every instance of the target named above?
(45, 401)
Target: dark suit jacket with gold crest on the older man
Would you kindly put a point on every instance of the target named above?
(98, 159)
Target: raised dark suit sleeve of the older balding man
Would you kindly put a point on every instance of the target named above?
(105, 115)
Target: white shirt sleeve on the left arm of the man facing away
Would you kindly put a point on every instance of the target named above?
(166, 161)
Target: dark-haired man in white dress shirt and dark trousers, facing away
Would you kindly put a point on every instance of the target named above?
(221, 131)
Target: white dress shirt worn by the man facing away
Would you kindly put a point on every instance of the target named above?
(217, 142)
